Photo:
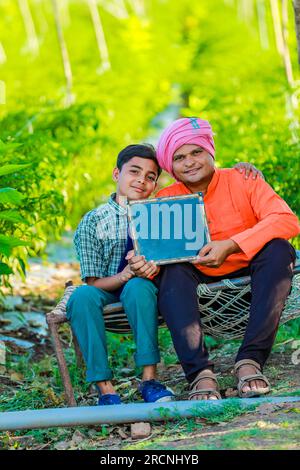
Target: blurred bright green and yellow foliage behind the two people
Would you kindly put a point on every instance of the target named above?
(199, 56)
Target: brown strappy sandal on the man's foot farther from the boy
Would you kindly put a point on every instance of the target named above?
(248, 378)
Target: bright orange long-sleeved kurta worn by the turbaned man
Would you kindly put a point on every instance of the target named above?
(246, 211)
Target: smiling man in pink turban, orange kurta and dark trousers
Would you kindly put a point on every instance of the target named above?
(249, 226)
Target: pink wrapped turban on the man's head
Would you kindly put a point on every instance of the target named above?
(180, 132)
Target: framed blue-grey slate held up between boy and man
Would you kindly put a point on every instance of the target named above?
(168, 229)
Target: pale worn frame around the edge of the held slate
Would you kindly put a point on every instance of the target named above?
(138, 245)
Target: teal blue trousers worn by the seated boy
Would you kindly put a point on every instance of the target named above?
(84, 310)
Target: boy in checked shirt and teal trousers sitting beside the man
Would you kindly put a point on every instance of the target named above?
(100, 242)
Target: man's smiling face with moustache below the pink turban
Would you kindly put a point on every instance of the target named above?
(193, 166)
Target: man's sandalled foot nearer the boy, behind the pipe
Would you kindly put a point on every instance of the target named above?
(204, 387)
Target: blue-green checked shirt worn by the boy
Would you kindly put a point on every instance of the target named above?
(100, 240)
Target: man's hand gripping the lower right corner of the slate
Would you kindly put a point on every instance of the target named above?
(214, 253)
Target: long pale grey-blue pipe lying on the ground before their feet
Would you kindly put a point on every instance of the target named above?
(129, 413)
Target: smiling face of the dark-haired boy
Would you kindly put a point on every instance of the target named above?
(136, 179)
